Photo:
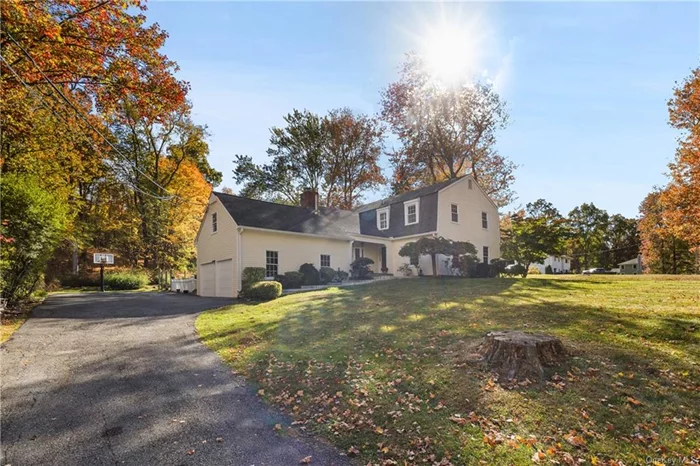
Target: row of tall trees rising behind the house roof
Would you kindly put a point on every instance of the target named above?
(443, 132)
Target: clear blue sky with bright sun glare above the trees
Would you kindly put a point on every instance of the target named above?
(586, 83)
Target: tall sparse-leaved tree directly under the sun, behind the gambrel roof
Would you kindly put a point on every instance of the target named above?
(446, 132)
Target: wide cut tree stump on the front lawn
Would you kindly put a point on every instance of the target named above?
(516, 355)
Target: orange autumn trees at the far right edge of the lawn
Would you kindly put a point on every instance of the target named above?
(670, 216)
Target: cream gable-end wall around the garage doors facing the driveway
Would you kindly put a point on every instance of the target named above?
(218, 246)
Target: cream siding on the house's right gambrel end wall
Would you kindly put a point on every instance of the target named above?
(471, 203)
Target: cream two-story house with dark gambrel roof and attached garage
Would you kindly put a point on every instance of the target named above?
(238, 232)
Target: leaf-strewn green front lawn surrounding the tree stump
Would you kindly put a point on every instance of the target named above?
(383, 371)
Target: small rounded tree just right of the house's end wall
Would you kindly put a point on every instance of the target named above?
(533, 234)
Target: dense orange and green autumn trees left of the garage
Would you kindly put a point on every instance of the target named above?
(98, 149)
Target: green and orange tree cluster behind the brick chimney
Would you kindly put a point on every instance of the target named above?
(336, 155)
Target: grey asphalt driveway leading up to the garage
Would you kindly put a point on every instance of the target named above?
(121, 379)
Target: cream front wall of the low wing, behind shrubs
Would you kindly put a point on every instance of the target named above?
(293, 250)
